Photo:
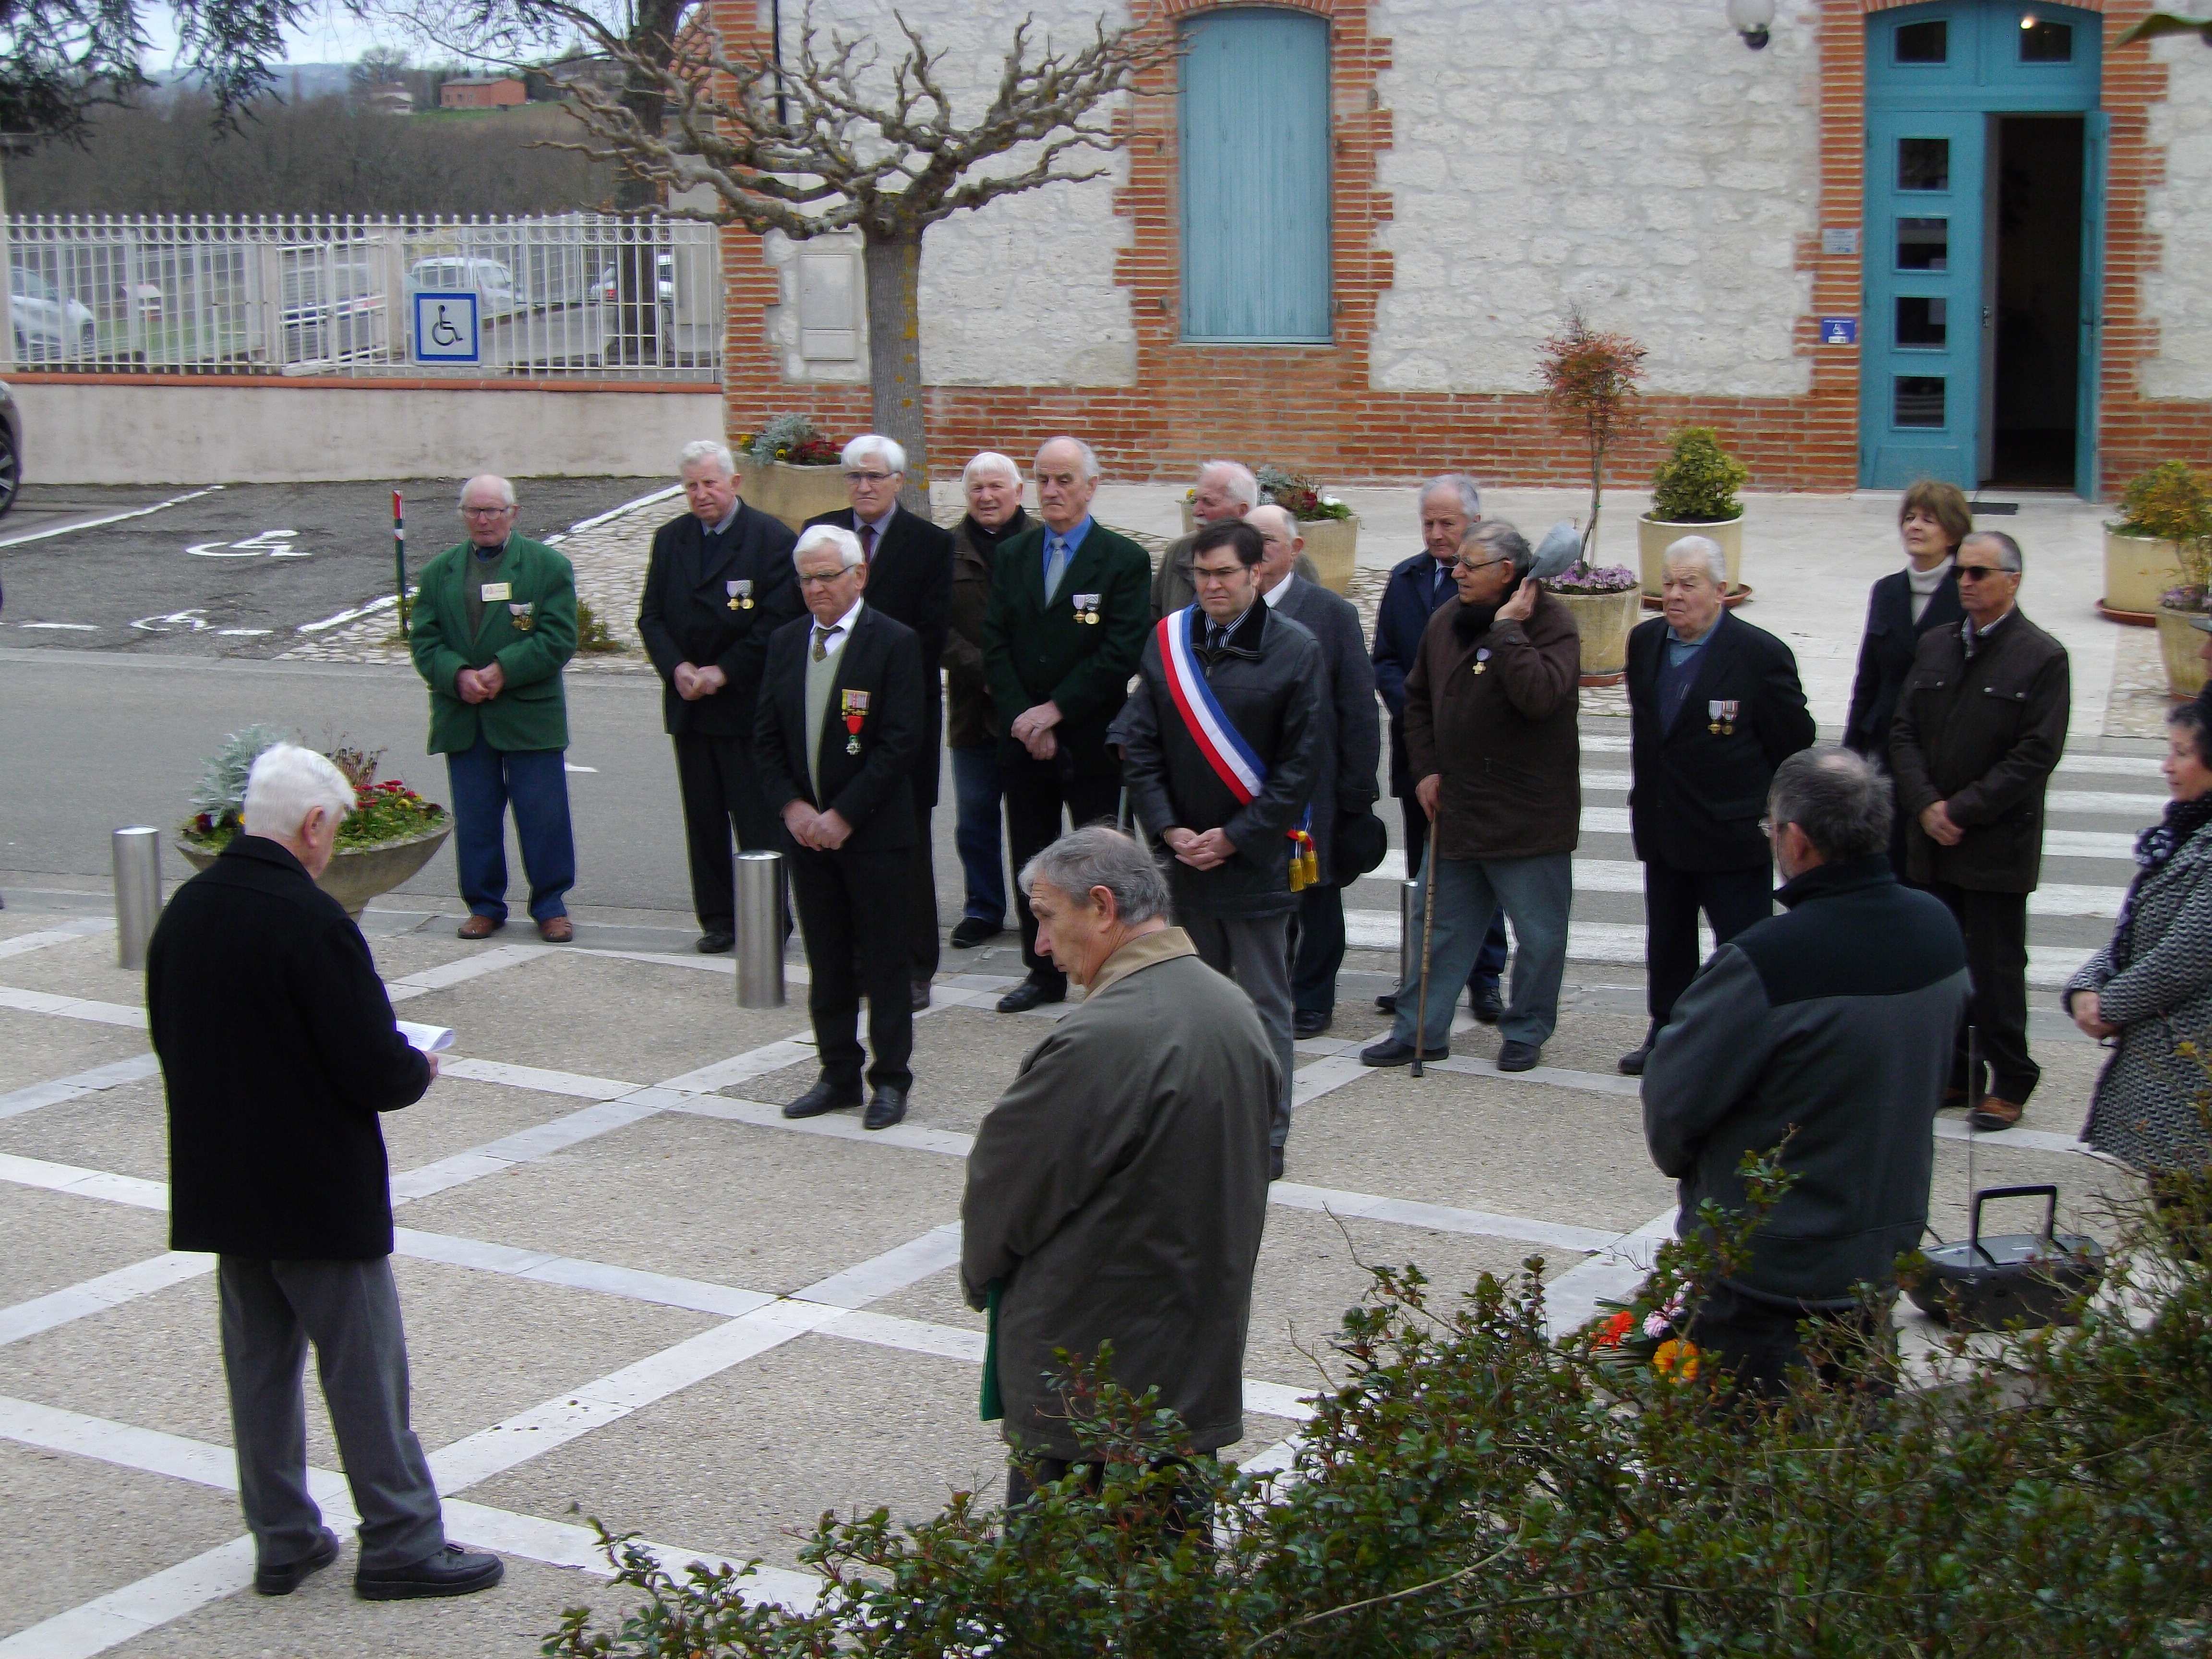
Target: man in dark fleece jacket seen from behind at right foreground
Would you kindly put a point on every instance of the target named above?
(1830, 1025)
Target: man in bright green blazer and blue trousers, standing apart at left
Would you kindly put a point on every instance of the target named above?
(490, 629)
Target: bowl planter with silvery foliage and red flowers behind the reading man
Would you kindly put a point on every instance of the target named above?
(390, 835)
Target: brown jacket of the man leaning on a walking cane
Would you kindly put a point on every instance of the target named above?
(1505, 738)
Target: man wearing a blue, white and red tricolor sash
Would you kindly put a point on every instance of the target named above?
(1220, 749)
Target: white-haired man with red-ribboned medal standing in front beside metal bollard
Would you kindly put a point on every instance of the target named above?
(839, 722)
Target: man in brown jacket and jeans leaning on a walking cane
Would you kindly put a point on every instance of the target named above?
(1490, 733)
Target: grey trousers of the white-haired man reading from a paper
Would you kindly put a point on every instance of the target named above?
(351, 1311)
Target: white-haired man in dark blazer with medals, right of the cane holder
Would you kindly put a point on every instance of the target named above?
(1715, 709)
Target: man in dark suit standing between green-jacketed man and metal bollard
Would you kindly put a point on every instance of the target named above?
(718, 585)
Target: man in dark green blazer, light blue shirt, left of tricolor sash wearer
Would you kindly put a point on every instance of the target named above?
(1067, 623)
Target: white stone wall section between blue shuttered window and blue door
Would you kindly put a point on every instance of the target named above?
(1627, 156)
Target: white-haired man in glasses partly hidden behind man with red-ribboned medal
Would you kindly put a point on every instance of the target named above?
(910, 581)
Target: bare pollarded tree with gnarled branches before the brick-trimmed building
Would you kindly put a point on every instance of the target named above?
(835, 138)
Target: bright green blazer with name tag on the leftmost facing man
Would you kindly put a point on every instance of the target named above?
(530, 713)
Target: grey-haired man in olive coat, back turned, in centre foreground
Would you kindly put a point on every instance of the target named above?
(1120, 1187)
